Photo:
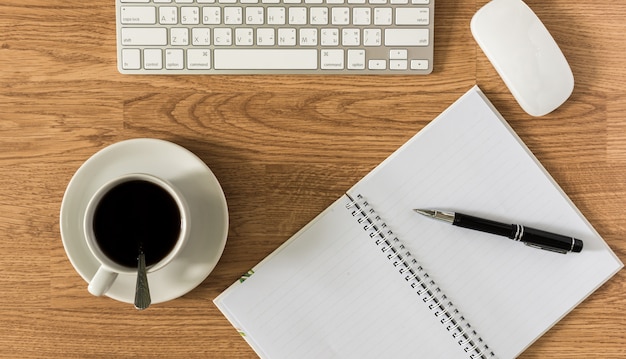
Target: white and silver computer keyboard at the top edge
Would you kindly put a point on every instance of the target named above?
(275, 36)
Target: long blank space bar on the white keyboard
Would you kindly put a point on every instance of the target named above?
(265, 59)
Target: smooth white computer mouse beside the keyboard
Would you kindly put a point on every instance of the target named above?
(525, 55)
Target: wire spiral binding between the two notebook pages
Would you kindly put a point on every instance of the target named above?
(418, 278)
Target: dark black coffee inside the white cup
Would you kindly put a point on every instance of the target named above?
(136, 214)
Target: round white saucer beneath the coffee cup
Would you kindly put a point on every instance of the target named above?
(207, 204)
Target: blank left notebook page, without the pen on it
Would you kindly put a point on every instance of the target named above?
(331, 293)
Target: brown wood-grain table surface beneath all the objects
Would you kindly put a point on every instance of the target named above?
(284, 148)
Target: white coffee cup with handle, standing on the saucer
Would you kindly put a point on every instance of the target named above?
(100, 240)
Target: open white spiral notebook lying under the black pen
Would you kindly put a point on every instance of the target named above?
(369, 278)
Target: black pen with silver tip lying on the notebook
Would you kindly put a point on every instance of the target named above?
(530, 236)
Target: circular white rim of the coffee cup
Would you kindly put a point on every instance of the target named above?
(89, 235)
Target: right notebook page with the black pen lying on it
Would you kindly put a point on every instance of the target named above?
(468, 160)
